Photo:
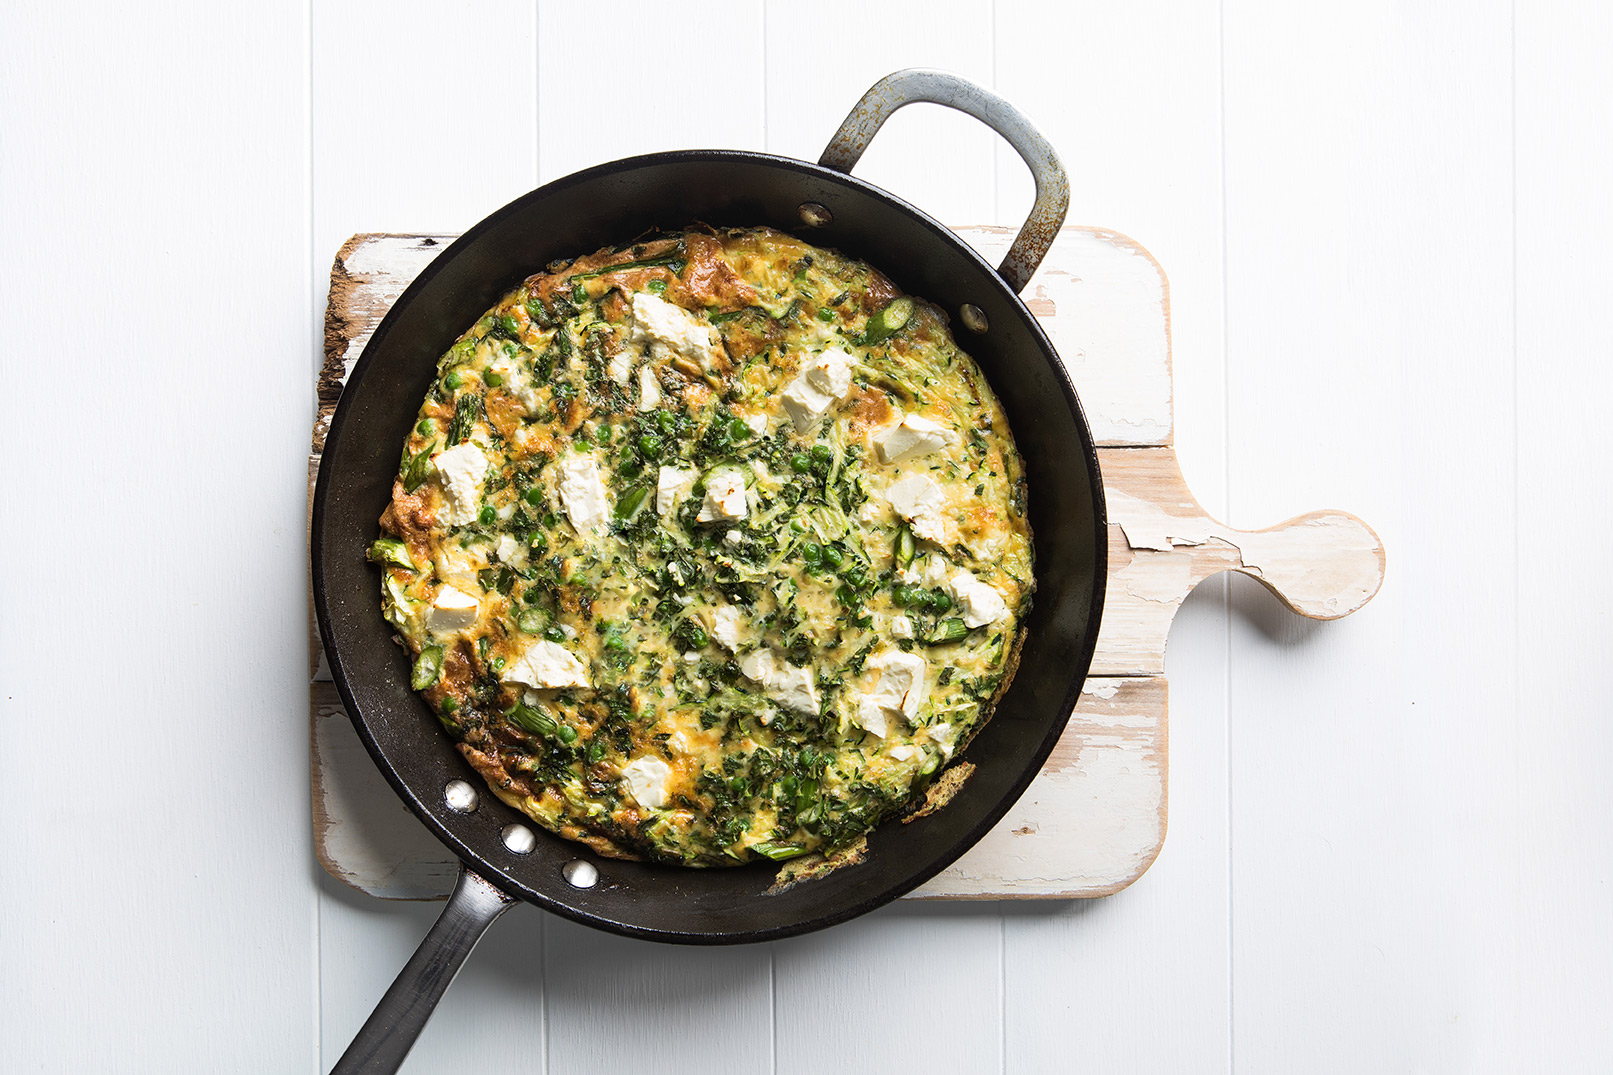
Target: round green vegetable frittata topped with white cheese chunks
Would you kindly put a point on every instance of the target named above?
(709, 548)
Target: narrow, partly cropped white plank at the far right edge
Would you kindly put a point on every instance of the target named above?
(1565, 382)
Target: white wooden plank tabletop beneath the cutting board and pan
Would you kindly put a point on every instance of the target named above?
(1388, 236)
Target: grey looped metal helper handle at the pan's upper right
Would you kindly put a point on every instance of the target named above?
(938, 88)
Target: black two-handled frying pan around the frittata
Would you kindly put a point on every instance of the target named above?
(504, 856)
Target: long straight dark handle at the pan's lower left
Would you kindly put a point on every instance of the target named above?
(391, 1031)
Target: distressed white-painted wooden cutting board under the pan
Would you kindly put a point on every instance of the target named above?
(1094, 818)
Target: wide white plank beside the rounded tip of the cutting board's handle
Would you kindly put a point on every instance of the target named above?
(1375, 835)
